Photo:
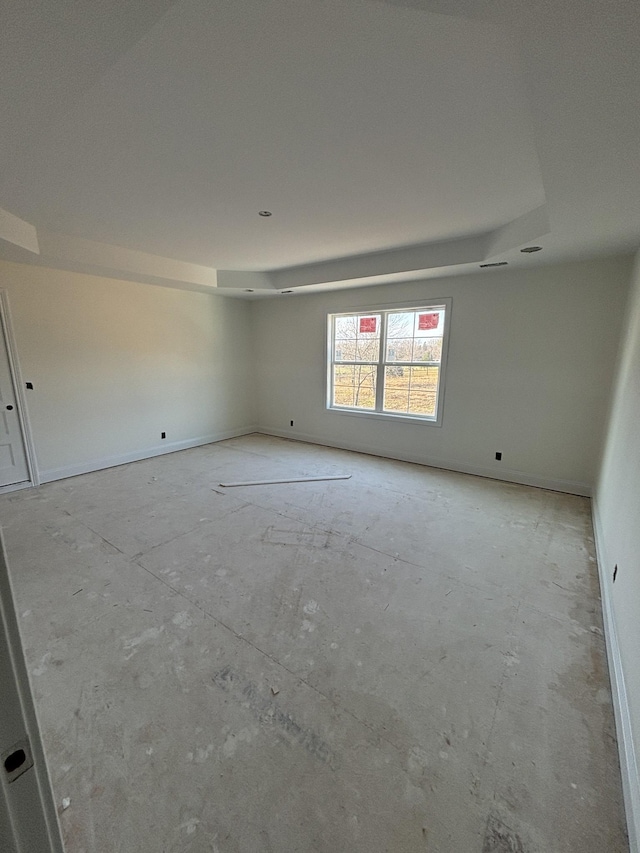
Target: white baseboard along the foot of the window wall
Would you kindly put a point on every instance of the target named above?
(506, 475)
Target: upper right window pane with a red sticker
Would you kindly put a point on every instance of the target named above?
(415, 336)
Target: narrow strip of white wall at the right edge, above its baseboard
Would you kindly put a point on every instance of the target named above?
(617, 522)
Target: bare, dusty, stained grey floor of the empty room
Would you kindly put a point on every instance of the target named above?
(409, 660)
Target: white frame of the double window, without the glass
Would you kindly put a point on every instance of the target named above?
(443, 304)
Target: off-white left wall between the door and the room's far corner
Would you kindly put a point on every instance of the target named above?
(115, 363)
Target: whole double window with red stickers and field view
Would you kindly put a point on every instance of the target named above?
(389, 362)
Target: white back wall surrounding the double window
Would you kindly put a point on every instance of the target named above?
(531, 358)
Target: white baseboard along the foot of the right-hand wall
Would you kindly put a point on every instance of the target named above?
(626, 747)
